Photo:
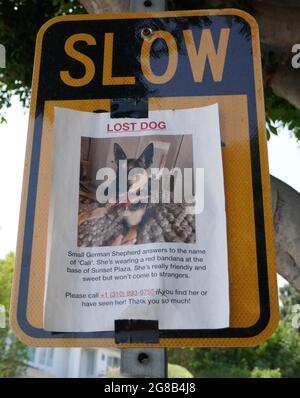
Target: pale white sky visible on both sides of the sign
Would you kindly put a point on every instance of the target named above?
(283, 150)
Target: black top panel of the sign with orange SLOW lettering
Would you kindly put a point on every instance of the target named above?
(106, 60)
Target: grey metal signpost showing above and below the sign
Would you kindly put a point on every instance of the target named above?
(145, 362)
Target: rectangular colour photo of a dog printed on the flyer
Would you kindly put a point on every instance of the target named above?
(132, 217)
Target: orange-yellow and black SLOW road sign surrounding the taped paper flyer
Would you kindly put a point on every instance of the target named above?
(136, 62)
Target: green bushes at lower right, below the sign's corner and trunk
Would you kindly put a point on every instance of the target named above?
(279, 356)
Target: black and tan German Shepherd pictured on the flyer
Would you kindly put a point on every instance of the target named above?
(133, 209)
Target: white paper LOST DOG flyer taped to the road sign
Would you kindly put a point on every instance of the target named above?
(137, 224)
